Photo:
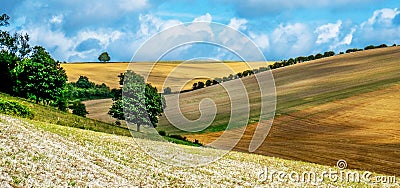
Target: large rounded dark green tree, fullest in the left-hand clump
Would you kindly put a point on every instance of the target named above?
(41, 78)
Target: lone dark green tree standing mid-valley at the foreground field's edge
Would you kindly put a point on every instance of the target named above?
(139, 103)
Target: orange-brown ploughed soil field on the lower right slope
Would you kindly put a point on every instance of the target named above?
(364, 130)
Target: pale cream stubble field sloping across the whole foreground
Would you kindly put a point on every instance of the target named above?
(45, 155)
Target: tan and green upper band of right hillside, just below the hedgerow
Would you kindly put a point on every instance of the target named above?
(300, 86)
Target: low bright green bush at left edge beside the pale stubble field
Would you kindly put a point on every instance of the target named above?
(15, 109)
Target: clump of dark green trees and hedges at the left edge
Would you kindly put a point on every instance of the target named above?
(31, 73)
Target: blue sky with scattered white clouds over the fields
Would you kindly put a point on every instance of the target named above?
(78, 31)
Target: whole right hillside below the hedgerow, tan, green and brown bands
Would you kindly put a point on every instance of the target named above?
(340, 107)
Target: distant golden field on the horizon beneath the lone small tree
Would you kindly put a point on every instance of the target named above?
(178, 73)
